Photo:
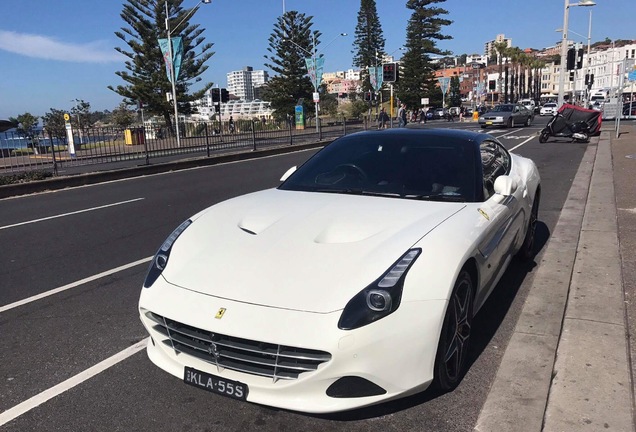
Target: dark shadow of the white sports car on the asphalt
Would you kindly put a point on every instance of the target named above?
(486, 323)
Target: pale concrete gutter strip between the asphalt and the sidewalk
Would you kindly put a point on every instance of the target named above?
(518, 397)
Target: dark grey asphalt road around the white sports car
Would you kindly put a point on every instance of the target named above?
(71, 361)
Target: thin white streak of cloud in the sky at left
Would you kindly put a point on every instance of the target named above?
(48, 48)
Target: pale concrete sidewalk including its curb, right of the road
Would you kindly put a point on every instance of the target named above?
(568, 364)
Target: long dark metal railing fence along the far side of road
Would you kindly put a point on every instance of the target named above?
(109, 145)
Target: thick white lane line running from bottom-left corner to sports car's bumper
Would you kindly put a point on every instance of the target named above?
(46, 395)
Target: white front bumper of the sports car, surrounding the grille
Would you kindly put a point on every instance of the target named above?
(396, 353)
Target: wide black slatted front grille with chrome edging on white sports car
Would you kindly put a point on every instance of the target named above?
(242, 355)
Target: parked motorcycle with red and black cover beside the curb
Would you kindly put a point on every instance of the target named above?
(571, 122)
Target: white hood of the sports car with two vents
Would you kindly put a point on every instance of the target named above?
(299, 250)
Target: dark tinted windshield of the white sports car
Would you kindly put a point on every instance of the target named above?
(409, 166)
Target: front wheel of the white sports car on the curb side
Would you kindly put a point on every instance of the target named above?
(454, 341)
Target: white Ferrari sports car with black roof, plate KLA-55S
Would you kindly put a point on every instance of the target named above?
(352, 283)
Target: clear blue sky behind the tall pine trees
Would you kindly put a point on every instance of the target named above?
(55, 51)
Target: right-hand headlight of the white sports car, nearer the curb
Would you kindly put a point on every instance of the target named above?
(379, 299)
